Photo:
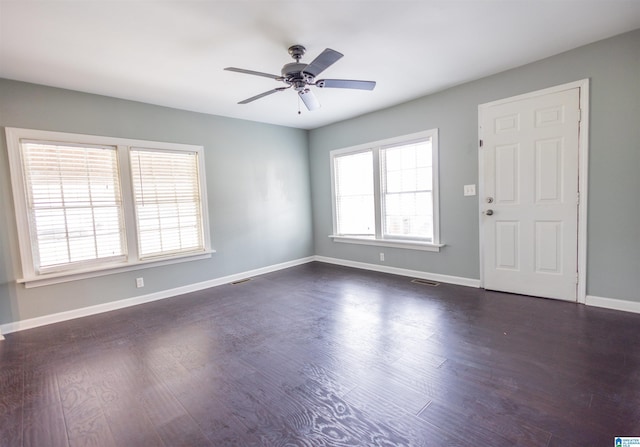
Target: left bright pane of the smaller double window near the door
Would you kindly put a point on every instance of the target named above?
(354, 194)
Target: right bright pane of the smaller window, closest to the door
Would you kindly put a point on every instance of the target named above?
(407, 190)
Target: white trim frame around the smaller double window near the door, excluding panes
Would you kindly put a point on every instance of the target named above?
(379, 240)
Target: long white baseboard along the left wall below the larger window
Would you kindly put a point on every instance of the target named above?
(127, 302)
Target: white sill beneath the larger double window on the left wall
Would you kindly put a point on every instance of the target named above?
(60, 277)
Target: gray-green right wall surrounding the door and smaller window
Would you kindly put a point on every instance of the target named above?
(613, 66)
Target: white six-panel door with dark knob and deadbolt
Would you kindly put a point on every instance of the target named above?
(529, 195)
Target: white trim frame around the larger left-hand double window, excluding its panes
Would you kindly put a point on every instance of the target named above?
(31, 278)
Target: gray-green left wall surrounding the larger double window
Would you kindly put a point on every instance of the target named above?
(257, 186)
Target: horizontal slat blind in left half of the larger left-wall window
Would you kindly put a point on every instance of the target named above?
(74, 203)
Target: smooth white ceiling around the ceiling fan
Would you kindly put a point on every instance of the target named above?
(173, 52)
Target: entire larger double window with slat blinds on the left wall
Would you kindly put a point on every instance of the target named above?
(87, 204)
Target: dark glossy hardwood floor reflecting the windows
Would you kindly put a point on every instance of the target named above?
(322, 355)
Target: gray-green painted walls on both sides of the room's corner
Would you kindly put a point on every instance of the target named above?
(266, 182)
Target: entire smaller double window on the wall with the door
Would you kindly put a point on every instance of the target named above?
(385, 193)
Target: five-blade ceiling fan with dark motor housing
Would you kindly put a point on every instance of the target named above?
(300, 77)
